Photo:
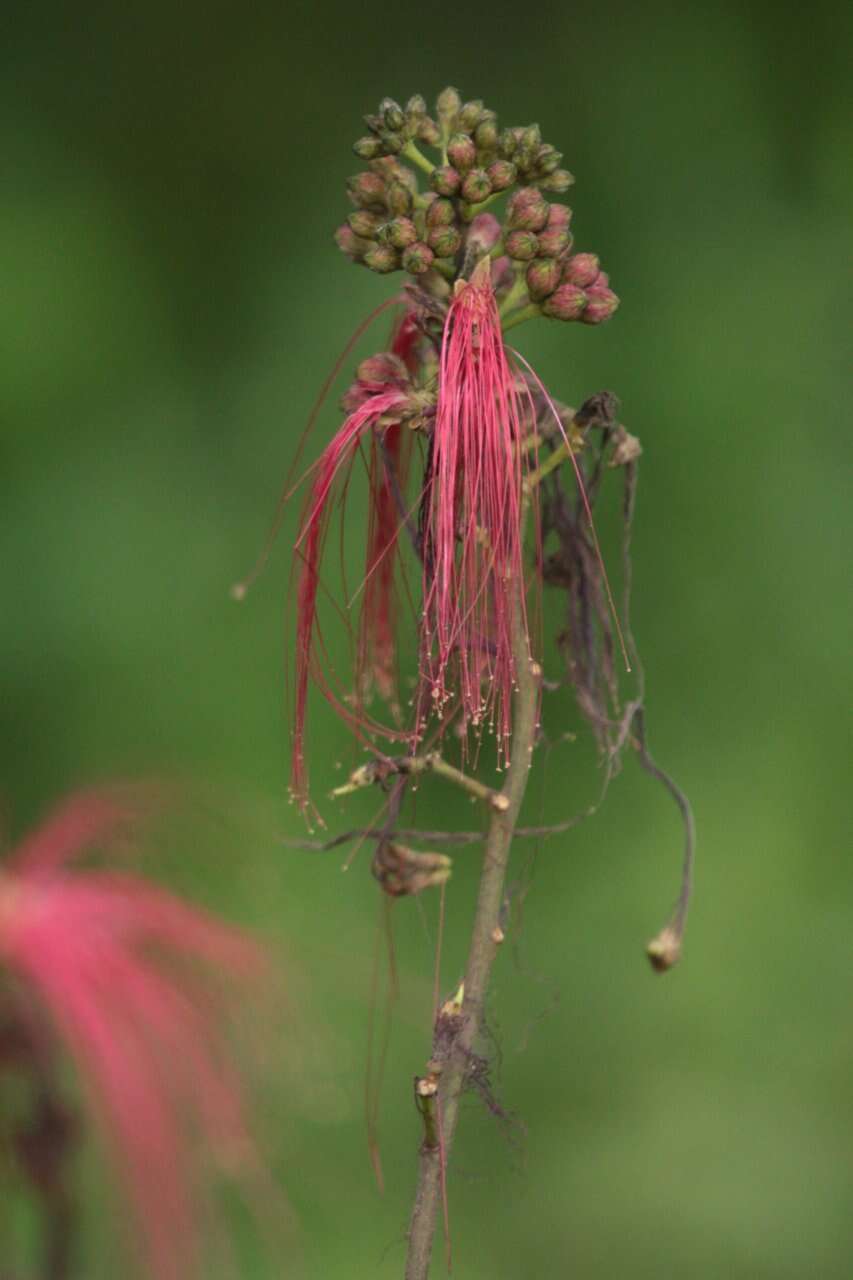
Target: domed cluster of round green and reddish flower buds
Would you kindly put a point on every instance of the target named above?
(398, 227)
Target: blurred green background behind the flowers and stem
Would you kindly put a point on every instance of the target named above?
(172, 300)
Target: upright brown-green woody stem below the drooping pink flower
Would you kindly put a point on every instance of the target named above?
(453, 1054)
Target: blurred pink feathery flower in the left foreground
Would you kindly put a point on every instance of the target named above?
(124, 972)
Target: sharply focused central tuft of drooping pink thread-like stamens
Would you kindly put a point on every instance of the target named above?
(473, 556)
